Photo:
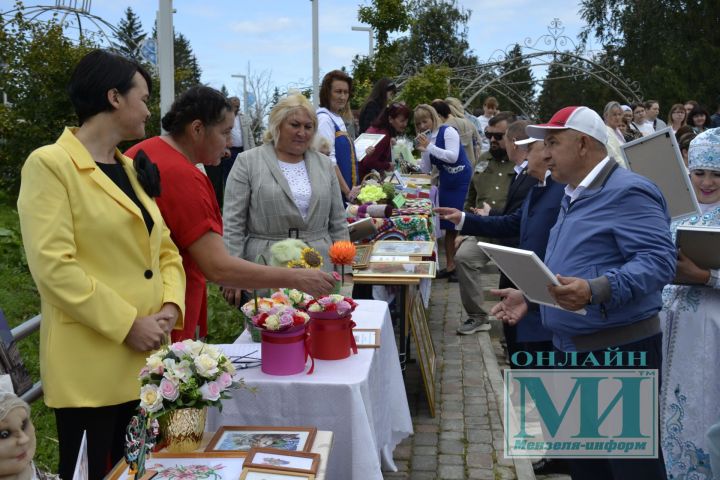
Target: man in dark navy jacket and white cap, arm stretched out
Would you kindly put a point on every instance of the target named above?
(531, 223)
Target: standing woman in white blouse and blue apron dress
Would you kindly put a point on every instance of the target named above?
(440, 146)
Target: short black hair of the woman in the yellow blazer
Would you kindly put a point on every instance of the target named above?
(95, 74)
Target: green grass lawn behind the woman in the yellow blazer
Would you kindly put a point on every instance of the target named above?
(20, 301)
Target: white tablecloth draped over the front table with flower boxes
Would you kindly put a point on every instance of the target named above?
(361, 399)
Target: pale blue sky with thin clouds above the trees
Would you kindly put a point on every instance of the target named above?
(234, 36)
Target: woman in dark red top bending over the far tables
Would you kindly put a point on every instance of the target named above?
(391, 122)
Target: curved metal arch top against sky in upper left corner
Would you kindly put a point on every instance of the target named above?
(77, 11)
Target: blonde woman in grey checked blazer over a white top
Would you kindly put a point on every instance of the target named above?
(284, 185)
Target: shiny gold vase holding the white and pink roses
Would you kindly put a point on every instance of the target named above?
(182, 429)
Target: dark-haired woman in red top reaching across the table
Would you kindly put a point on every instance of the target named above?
(198, 126)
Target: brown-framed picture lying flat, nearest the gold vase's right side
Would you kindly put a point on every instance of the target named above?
(243, 438)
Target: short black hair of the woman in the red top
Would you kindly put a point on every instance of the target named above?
(197, 103)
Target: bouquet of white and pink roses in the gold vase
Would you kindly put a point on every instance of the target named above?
(187, 374)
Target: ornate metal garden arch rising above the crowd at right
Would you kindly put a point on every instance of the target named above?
(551, 48)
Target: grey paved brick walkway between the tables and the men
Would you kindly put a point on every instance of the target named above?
(465, 439)
